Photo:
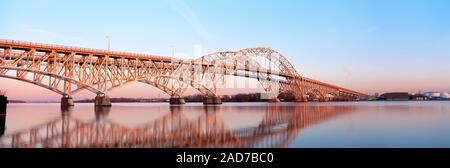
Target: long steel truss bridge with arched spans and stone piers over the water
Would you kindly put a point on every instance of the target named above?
(68, 70)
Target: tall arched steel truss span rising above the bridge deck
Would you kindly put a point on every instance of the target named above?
(263, 61)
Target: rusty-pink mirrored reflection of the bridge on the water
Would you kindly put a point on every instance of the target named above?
(278, 128)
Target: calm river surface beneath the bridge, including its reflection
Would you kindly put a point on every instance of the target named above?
(294, 125)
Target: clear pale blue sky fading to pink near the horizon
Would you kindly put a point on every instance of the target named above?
(372, 46)
